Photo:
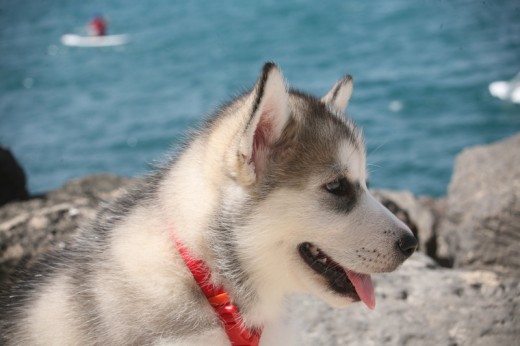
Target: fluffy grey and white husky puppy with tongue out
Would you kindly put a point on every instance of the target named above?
(270, 195)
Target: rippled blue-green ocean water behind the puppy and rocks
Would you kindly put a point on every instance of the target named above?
(421, 71)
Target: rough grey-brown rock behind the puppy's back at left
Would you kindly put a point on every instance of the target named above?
(31, 228)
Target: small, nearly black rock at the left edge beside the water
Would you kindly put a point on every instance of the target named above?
(12, 178)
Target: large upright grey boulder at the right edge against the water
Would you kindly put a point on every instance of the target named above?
(482, 219)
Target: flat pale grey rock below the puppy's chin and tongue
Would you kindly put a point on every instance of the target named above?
(420, 304)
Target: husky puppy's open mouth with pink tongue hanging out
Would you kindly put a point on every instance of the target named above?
(343, 281)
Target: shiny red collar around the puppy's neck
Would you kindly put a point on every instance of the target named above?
(218, 298)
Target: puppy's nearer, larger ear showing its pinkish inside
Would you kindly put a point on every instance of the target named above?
(269, 114)
